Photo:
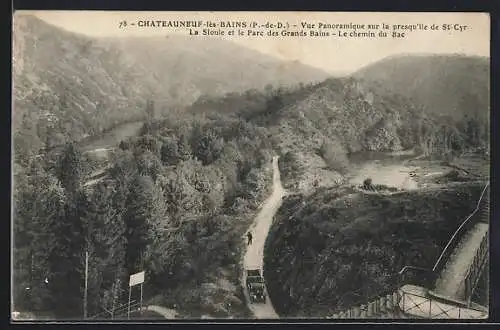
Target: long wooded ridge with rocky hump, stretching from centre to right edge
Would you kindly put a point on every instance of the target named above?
(355, 114)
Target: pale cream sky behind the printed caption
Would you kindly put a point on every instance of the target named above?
(331, 54)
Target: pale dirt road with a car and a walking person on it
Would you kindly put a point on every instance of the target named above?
(255, 252)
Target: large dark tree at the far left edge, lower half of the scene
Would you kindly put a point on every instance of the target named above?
(38, 208)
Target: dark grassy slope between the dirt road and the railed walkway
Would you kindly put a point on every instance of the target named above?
(340, 247)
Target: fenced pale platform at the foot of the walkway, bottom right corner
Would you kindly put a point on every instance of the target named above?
(409, 303)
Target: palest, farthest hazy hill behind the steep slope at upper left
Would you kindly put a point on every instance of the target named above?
(189, 68)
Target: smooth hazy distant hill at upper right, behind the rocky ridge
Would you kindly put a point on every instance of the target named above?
(453, 85)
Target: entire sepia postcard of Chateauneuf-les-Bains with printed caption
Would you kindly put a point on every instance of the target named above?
(250, 166)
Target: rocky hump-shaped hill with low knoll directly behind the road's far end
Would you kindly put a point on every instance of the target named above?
(342, 116)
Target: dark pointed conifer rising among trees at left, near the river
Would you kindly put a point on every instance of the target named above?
(69, 169)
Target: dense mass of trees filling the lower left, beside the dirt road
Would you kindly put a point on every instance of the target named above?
(165, 206)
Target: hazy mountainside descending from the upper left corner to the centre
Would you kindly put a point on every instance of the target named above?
(68, 86)
